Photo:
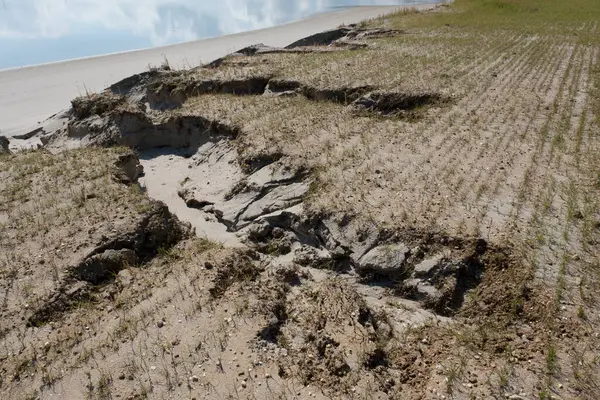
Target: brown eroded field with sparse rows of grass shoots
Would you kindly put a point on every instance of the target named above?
(458, 149)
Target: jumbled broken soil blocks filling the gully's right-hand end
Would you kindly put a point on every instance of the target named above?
(437, 273)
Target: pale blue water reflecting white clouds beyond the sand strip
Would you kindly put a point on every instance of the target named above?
(40, 31)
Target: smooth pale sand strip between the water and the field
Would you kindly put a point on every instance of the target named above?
(30, 95)
